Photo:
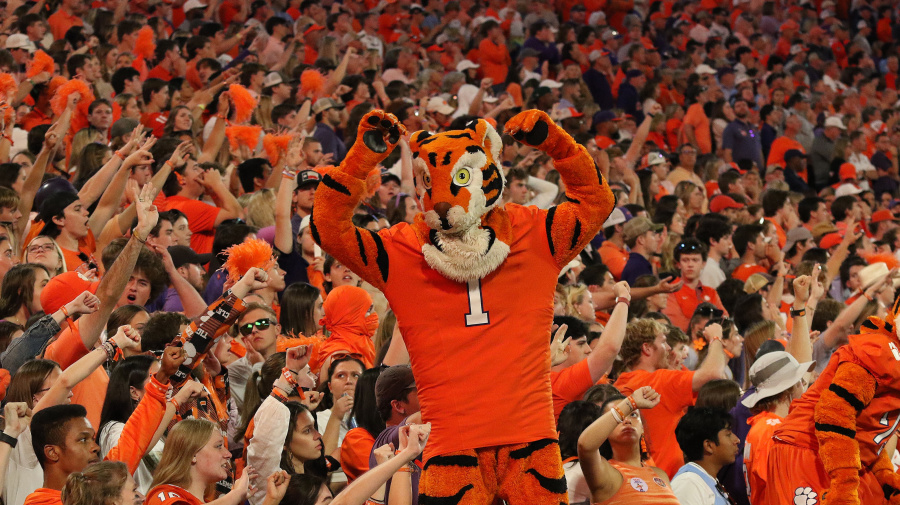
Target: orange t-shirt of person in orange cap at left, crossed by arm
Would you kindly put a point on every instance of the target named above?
(66, 350)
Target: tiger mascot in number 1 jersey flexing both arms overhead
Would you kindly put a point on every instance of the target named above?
(472, 284)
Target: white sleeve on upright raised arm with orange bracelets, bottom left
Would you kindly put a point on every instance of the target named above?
(264, 450)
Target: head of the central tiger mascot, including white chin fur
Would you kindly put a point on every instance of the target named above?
(460, 183)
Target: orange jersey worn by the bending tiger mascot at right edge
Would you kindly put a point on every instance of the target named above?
(879, 354)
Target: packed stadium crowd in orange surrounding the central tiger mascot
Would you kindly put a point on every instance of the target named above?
(171, 333)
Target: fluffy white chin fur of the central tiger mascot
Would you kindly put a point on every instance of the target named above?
(465, 257)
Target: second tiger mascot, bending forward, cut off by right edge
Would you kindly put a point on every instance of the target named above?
(830, 449)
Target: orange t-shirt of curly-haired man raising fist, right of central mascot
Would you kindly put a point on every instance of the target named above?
(676, 390)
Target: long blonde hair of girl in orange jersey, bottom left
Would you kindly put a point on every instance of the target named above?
(183, 443)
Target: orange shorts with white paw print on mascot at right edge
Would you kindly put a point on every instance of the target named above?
(795, 472)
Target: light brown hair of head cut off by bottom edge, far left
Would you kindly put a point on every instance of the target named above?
(98, 484)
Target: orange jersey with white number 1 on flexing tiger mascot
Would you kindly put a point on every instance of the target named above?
(444, 323)
